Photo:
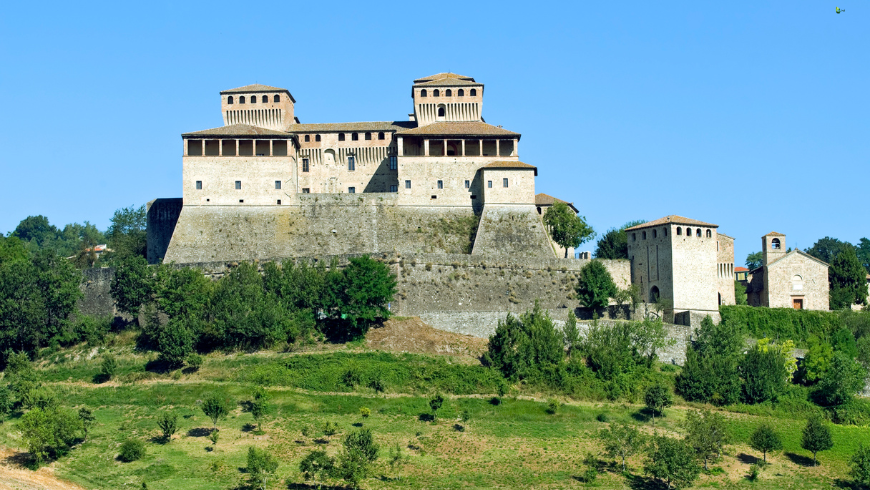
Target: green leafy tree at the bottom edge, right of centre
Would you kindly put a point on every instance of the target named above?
(672, 461)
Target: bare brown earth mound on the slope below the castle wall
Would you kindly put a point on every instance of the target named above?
(410, 334)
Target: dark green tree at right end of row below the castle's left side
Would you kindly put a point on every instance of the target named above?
(369, 288)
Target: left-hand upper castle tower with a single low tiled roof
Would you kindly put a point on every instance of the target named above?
(258, 105)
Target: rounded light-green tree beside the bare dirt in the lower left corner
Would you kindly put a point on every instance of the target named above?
(49, 433)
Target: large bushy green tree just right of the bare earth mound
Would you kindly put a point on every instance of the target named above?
(523, 346)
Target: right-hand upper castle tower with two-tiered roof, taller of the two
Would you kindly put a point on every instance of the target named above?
(447, 97)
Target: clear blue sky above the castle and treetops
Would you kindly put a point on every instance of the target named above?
(751, 115)
